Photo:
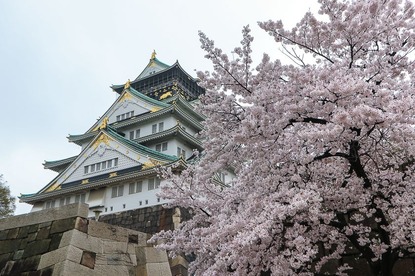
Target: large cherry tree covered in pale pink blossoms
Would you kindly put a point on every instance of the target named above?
(322, 150)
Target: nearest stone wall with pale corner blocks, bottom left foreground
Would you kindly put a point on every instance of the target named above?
(62, 241)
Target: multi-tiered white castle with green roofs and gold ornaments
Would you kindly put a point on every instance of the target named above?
(151, 123)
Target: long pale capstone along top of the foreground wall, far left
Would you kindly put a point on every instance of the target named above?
(39, 217)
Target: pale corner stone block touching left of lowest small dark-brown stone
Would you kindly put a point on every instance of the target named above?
(69, 252)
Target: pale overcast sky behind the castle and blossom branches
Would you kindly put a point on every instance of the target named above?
(59, 58)
